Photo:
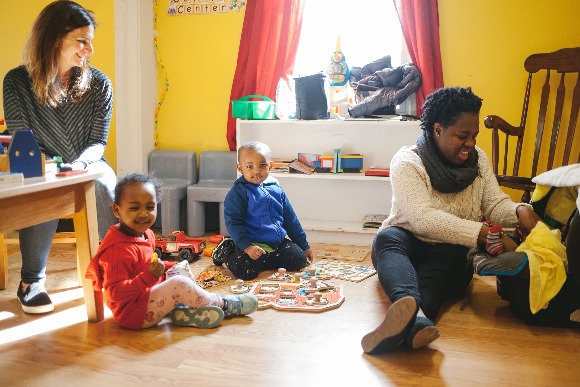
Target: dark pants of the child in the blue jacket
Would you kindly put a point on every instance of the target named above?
(288, 255)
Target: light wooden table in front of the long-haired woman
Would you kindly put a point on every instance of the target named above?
(44, 198)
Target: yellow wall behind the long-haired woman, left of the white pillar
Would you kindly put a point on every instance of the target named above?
(16, 18)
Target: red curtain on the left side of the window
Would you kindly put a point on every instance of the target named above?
(267, 51)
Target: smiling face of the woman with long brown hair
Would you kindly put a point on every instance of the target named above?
(75, 49)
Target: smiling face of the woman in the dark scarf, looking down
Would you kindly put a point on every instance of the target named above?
(457, 140)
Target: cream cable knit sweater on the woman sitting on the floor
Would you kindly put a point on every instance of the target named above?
(437, 217)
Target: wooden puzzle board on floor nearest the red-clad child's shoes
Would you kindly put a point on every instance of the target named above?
(294, 297)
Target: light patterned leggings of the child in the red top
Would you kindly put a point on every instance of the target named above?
(165, 296)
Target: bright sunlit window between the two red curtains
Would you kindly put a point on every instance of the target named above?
(368, 29)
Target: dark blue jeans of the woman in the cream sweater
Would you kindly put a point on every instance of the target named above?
(407, 266)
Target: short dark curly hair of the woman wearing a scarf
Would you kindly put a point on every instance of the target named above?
(446, 104)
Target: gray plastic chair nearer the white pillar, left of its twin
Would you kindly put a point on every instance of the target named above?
(176, 170)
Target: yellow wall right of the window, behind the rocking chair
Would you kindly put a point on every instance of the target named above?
(484, 45)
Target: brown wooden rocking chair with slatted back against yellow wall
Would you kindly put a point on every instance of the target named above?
(564, 65)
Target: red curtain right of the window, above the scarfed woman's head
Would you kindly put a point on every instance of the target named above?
(420, 25)
